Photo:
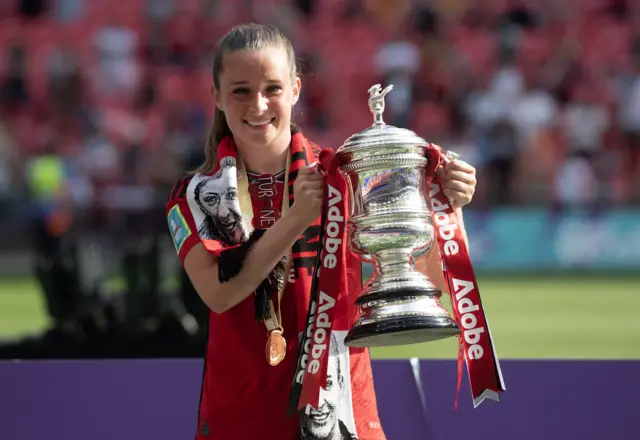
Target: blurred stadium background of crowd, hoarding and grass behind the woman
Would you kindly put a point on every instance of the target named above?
(103, 104)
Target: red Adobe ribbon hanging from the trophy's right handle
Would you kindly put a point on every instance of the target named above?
(475, 342)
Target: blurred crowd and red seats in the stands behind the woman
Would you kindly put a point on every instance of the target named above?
(542, 96)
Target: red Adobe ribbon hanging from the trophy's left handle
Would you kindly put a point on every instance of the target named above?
(328, 279)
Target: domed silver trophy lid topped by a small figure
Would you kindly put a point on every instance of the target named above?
(380, 134)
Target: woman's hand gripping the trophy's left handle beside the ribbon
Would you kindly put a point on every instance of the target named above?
(308, 190)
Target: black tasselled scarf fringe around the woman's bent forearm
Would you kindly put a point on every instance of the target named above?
(230, 264)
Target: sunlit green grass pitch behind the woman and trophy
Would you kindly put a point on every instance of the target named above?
(569, 317)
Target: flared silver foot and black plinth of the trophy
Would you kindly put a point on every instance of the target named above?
(401, 317)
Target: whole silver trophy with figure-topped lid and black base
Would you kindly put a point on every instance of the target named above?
(391, 225)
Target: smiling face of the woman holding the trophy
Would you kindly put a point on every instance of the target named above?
(256, 95)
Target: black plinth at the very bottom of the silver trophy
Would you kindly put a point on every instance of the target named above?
(401, 331)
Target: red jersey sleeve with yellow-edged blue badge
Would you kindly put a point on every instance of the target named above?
(182, 226)
